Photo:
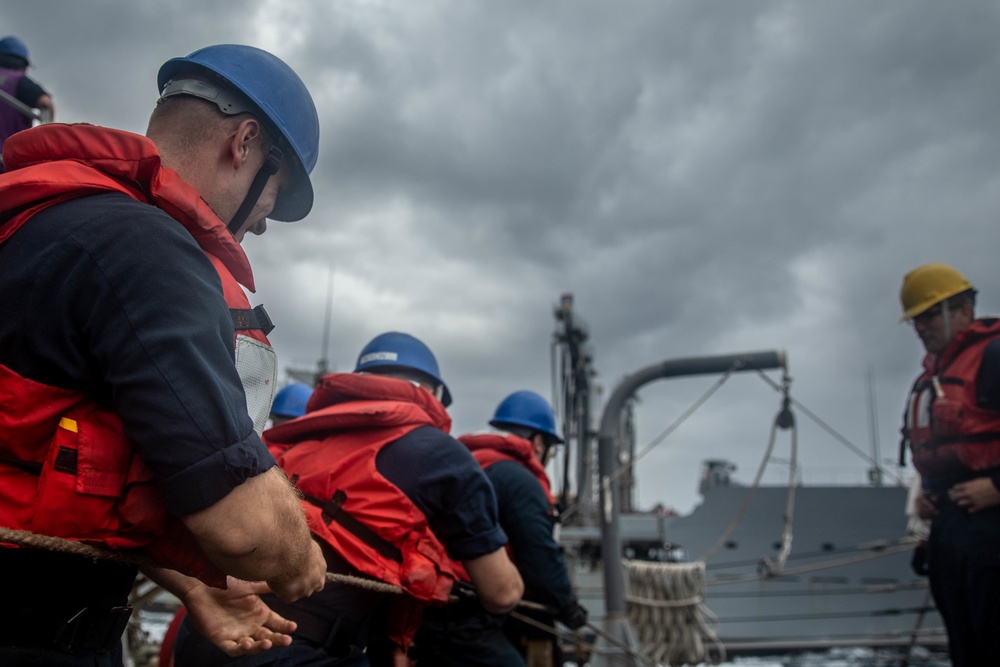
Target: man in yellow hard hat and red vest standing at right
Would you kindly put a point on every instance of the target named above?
(952, 427)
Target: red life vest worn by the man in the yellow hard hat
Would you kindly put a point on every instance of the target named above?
(947, 432)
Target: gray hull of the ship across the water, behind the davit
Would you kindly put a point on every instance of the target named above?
(846, 582)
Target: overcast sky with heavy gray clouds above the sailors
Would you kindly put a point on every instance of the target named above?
(705, 177)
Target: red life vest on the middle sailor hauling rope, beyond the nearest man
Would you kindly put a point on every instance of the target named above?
(329, 453)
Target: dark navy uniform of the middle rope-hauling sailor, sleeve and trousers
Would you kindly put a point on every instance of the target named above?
(441, 478)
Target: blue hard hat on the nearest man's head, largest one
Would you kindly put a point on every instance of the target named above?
(279, 94)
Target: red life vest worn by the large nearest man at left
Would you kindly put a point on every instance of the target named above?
(66, 468)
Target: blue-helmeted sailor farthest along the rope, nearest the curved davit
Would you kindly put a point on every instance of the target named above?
(514, 459)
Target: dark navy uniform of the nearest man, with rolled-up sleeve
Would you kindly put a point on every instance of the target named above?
(113, 298)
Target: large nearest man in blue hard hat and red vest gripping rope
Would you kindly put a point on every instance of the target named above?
(121, 267)
